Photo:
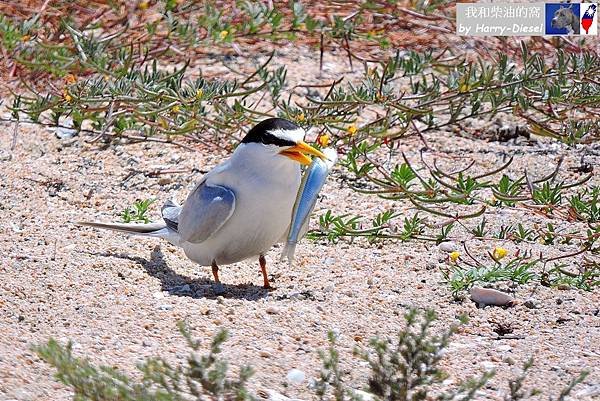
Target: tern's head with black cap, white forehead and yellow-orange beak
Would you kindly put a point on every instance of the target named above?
(284, 134)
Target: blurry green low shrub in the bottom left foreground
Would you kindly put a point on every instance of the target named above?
(201, 376)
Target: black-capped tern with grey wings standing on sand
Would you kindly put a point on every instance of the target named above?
(240, 208)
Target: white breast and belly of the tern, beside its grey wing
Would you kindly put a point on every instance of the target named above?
(265, 188)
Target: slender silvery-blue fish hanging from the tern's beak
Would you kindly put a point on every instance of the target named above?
(308, 193)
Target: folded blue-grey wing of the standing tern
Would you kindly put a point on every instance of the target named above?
(204, 212)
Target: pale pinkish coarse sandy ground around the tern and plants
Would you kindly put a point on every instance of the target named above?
(118, 298)
